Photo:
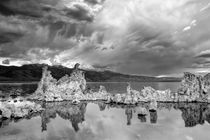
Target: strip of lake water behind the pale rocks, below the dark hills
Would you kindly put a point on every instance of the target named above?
(113, 87)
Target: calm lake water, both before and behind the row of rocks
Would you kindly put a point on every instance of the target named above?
(99, 121)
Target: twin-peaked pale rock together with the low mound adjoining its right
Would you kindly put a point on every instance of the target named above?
(71, 87)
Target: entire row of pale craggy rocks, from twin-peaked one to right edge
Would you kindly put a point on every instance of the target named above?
(73, 87)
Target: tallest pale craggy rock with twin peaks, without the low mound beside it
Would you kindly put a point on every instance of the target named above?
(66, 88)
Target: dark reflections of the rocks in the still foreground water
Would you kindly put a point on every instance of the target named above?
(192, 113)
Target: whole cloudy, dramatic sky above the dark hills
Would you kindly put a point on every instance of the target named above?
(144, 37)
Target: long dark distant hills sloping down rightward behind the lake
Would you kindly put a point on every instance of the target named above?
(33, 72)
